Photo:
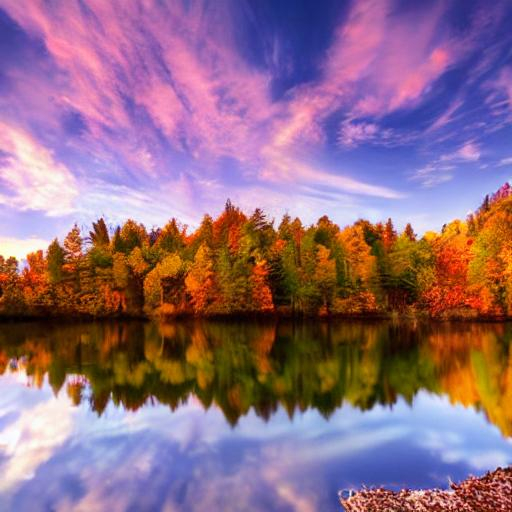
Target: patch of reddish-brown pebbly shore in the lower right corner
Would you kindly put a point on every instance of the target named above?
(489, 493)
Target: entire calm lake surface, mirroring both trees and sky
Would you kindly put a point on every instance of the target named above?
(245, 416)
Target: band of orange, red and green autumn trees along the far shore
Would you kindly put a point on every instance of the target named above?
(238, 264)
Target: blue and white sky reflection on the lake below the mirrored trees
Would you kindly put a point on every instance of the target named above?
(193, 460)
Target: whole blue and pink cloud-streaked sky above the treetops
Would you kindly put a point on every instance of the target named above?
(158, 109)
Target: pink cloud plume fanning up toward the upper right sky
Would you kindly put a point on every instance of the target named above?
(370, 72)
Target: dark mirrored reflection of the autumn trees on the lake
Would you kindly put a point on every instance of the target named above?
(242, 367)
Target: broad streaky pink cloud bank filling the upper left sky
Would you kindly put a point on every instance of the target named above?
(198, 91)
